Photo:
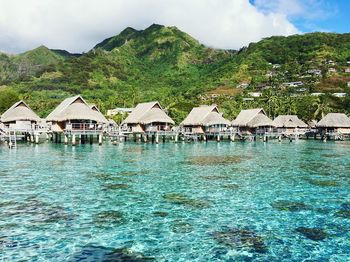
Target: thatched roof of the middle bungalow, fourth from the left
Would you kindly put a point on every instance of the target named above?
(205, 116)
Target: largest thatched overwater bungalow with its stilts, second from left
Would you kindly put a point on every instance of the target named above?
(75, 117)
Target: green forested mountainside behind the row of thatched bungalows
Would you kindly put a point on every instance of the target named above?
(307, 75)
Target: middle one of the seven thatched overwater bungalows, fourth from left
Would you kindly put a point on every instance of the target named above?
(205, 120)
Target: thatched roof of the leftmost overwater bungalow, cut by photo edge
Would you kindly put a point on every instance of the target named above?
(20, 111)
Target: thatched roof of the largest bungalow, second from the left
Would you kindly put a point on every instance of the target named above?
(75, 108)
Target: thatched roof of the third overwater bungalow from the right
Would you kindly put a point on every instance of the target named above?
(252, 118)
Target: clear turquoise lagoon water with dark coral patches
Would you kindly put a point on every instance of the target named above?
(176, 202)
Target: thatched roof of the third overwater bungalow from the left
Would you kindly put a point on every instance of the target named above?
(145, 113)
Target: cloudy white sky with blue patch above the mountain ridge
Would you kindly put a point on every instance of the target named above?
(78, 25)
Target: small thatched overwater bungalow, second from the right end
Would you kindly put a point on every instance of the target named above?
(290, 125)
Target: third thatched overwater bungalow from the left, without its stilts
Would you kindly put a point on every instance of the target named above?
(148, 118)
